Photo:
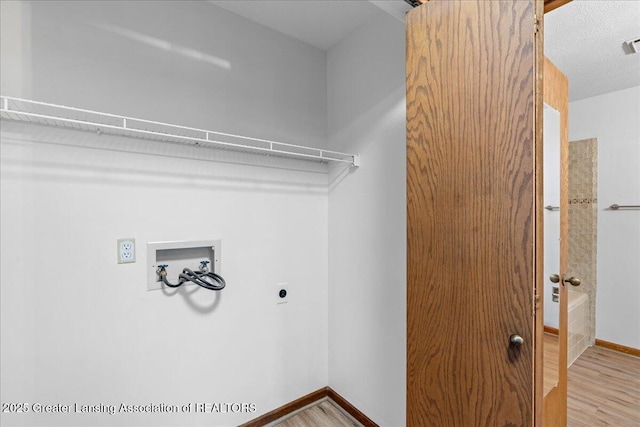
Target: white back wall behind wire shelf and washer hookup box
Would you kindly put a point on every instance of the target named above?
(79, 328)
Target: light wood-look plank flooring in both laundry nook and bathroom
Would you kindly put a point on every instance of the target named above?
(603, 388)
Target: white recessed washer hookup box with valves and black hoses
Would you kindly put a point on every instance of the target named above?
(179, 255)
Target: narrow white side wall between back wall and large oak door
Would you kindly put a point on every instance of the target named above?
(367, 221)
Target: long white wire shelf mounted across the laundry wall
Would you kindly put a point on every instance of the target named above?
(43, 113)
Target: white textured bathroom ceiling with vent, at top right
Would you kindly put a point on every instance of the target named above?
(584, 38)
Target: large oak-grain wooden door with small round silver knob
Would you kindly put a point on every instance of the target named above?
(473, 212)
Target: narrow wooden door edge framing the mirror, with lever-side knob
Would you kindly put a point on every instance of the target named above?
(556, 95)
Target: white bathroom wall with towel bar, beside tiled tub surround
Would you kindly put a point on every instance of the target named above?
(613, 119)
